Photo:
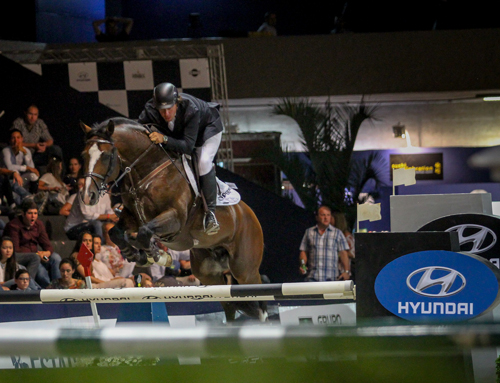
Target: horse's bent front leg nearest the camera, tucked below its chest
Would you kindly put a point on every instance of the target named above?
(165, 225)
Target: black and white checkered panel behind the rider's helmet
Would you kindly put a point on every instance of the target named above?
(126, 86)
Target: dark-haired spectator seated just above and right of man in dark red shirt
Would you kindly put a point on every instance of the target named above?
(55, 190)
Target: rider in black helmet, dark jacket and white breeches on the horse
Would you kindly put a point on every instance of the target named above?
(187, 124)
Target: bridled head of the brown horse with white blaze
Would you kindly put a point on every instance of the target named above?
(100, 161)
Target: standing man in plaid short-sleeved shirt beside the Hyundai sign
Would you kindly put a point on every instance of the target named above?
(321, 248)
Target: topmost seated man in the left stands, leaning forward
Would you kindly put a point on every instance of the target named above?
(37, 137)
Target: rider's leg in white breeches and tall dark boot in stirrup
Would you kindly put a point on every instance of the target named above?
(208, 183)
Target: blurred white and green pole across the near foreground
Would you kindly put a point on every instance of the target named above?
(268, 341)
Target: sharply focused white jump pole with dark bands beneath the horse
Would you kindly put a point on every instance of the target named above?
(265, 292)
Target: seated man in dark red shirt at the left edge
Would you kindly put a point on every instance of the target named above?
(28, 233)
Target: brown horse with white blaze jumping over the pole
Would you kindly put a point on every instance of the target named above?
(159, 204)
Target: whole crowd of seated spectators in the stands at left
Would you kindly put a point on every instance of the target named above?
(34, 181)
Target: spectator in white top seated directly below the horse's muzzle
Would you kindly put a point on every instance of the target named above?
(98, 219)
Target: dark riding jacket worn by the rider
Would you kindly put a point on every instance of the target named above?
(195, 122)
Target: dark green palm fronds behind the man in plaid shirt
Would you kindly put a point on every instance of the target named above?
(328, 133)
